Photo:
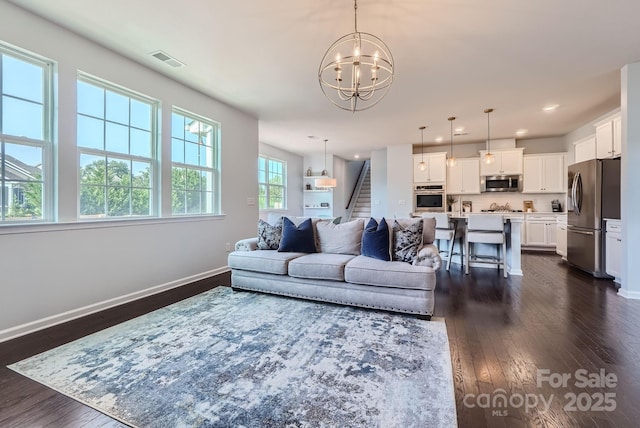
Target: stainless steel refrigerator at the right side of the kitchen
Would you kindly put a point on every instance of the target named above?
(594, 194)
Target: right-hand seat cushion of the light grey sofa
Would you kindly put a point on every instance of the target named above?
(370, 271)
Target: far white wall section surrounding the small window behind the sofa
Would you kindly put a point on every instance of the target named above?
(294, 179)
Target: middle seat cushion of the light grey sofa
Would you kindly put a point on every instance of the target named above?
(320, 266)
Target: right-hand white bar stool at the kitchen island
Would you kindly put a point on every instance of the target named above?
(486, 229)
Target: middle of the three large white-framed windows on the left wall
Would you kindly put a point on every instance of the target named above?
(117, 135)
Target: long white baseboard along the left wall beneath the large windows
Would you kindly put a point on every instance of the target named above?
(33, 326)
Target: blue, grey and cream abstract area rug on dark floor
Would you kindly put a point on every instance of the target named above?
(225, 358)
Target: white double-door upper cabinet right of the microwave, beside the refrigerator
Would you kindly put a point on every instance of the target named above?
(544, 173)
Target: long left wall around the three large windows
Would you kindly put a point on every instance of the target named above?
(54, 273)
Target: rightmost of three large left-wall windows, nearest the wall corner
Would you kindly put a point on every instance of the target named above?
(195, 164)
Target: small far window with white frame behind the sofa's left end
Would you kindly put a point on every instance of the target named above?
(272, 183)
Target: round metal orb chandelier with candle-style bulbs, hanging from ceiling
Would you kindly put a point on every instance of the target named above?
(356, 72)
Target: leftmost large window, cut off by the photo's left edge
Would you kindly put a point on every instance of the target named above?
(26, 136)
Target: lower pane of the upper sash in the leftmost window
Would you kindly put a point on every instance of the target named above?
(22, 118)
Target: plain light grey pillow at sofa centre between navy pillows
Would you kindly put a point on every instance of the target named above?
(343, 238)
